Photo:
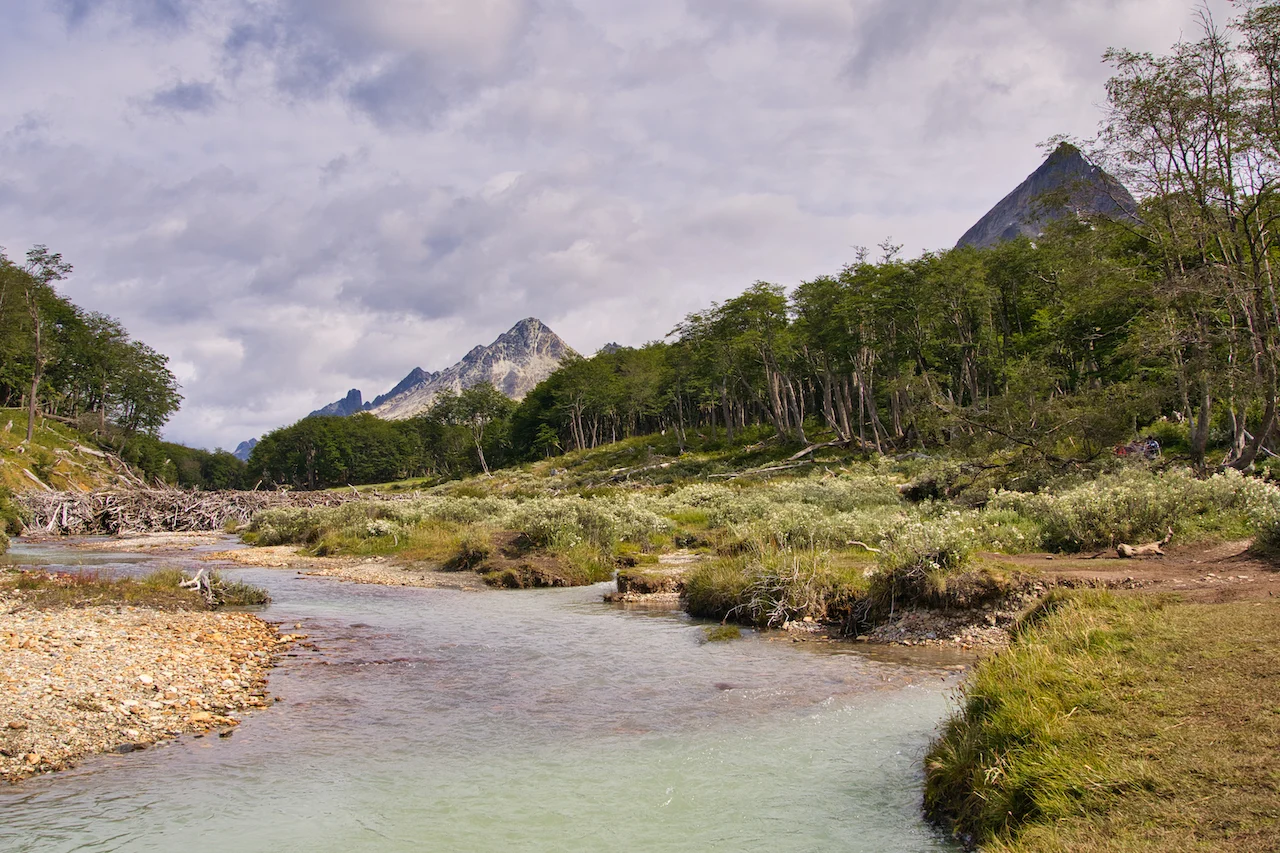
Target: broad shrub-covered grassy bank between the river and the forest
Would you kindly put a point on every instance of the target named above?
(840, 542)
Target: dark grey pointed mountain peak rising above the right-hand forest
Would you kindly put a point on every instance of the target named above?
(1067, 184)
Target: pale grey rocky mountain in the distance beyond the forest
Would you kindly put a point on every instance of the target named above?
(515, 363)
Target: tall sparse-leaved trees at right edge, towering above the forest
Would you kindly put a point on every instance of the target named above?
(1196, 134)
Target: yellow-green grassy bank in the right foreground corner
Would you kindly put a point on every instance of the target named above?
(1119, 726)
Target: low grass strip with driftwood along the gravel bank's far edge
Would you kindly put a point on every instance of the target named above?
(159, 591)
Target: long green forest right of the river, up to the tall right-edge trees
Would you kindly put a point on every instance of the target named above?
(1055, 350)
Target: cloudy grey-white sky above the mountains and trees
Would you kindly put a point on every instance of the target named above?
(296, 198)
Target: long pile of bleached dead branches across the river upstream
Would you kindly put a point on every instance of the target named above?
(112, 512)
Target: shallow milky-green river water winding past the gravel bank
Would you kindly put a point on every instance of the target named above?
(548, 720)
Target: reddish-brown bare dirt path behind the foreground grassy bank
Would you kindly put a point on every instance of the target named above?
(1201, 573)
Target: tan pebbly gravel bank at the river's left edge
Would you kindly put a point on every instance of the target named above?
(79, 682)
